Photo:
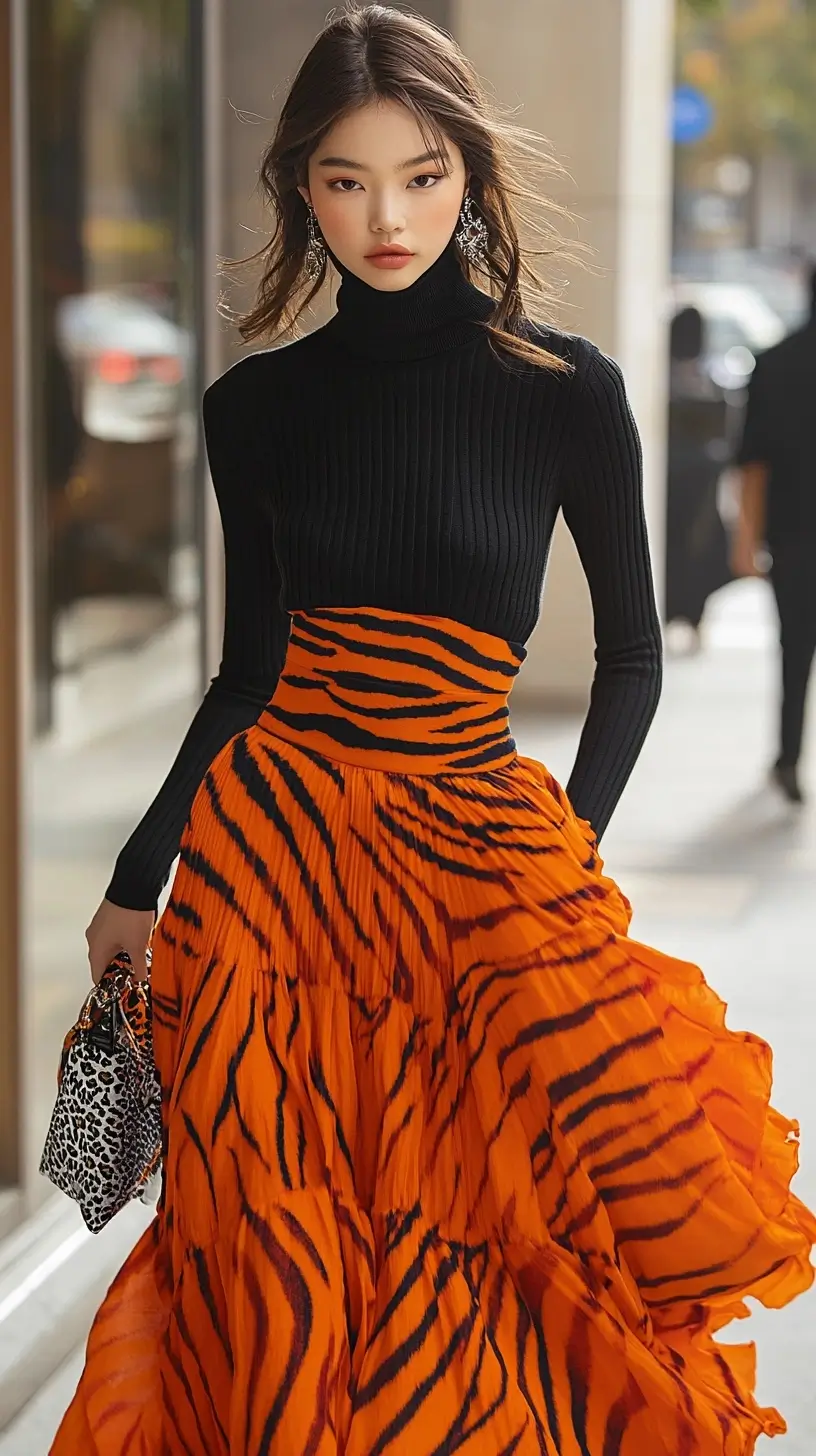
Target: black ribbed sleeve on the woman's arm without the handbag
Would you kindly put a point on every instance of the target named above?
(603, 506)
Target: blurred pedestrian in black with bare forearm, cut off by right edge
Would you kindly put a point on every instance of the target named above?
(777, 518)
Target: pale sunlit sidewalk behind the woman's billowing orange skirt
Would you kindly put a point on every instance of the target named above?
(723, 874)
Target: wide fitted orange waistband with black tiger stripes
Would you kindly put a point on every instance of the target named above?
(396, 692)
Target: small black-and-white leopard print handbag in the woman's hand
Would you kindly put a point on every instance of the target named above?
(104, 1145)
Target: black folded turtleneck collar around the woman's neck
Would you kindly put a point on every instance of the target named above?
(441, 311)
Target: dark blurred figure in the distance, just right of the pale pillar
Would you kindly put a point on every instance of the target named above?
(697, 547)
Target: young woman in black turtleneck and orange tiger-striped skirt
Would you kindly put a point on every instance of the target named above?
(452, 1166)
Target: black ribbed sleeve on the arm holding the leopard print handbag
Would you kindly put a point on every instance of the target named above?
(254, 644)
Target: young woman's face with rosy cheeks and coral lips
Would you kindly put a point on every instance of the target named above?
(375, 187)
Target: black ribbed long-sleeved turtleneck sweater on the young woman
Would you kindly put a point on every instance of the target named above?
(393, 459)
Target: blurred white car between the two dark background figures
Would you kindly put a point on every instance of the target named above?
(739, 325)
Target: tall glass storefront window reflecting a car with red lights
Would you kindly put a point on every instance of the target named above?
(117, 502)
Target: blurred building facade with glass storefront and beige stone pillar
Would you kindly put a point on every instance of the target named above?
(129, 149)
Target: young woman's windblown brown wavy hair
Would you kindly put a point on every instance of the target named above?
(375, 53)
